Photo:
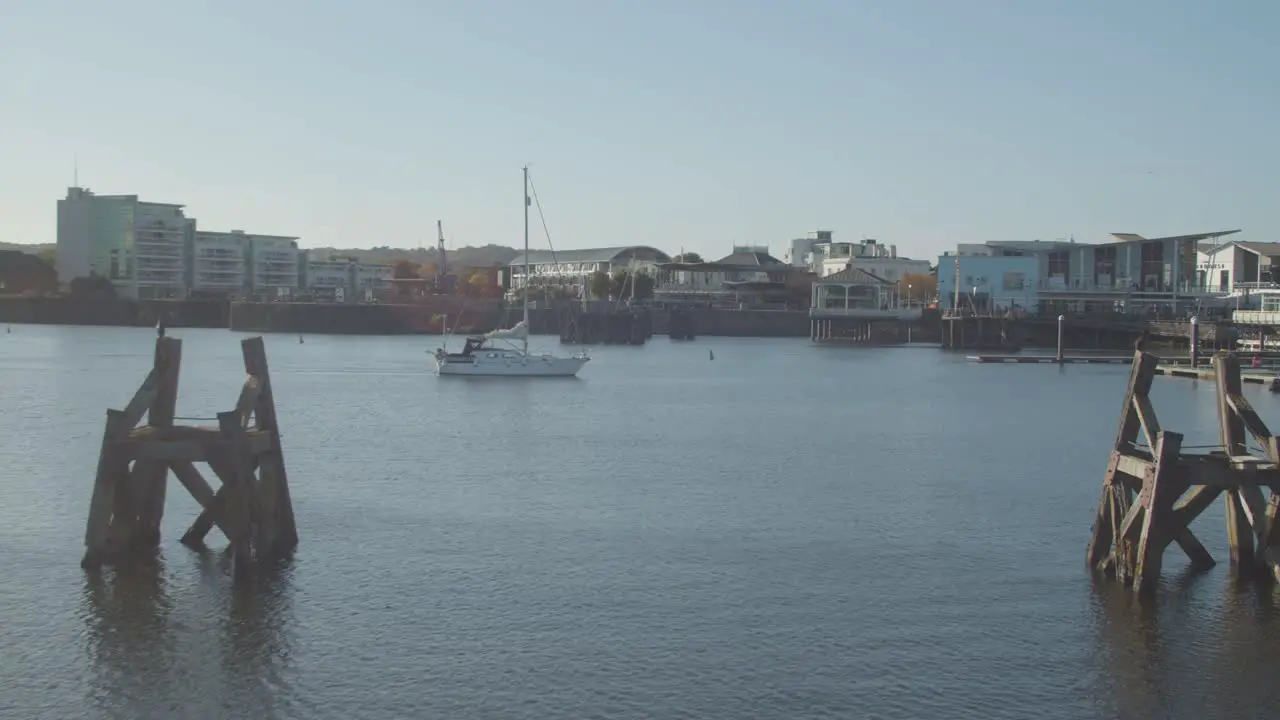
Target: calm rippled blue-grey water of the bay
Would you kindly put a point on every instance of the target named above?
(785, 532)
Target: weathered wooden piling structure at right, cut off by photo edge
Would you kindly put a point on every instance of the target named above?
(1153, 491)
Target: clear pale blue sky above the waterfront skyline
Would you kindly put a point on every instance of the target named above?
(694, 124)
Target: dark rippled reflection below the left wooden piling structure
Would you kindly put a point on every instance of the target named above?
(152, 659)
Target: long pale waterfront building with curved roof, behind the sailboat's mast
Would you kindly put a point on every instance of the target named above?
(570, 268)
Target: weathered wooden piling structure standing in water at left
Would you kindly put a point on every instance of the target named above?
(253, 508)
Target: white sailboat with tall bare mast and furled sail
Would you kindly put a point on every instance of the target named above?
(482, 357)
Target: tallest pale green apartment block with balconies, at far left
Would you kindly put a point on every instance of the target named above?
(140, 247)
